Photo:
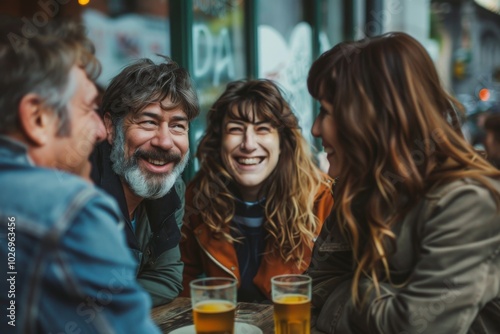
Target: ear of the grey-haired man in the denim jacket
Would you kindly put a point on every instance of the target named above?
(37, 122)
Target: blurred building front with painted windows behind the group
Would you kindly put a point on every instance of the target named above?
(223, 40)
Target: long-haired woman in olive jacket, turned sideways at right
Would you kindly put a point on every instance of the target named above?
(416, 223)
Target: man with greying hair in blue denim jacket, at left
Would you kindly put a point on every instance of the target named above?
(66, 266)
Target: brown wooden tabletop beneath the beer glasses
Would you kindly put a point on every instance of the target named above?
(179, 313)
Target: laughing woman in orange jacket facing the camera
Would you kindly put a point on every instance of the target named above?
(258, 202)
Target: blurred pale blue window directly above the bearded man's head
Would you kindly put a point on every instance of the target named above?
(124, 31)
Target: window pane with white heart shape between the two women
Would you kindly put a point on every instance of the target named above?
(285, 54)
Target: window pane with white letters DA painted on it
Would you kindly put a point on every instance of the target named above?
(219, 54)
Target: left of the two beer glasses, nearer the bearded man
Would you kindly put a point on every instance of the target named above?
(214, 303)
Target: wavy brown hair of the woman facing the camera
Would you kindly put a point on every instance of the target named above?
(289, 191)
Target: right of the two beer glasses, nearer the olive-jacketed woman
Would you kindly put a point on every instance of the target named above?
(292, 304)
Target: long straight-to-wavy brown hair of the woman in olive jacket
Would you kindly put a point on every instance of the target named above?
(398, 131)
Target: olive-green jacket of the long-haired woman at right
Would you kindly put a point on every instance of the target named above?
(455, 278)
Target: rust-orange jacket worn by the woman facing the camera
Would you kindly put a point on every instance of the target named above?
(203, 253)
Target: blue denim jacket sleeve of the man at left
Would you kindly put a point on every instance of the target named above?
(93, 278)
